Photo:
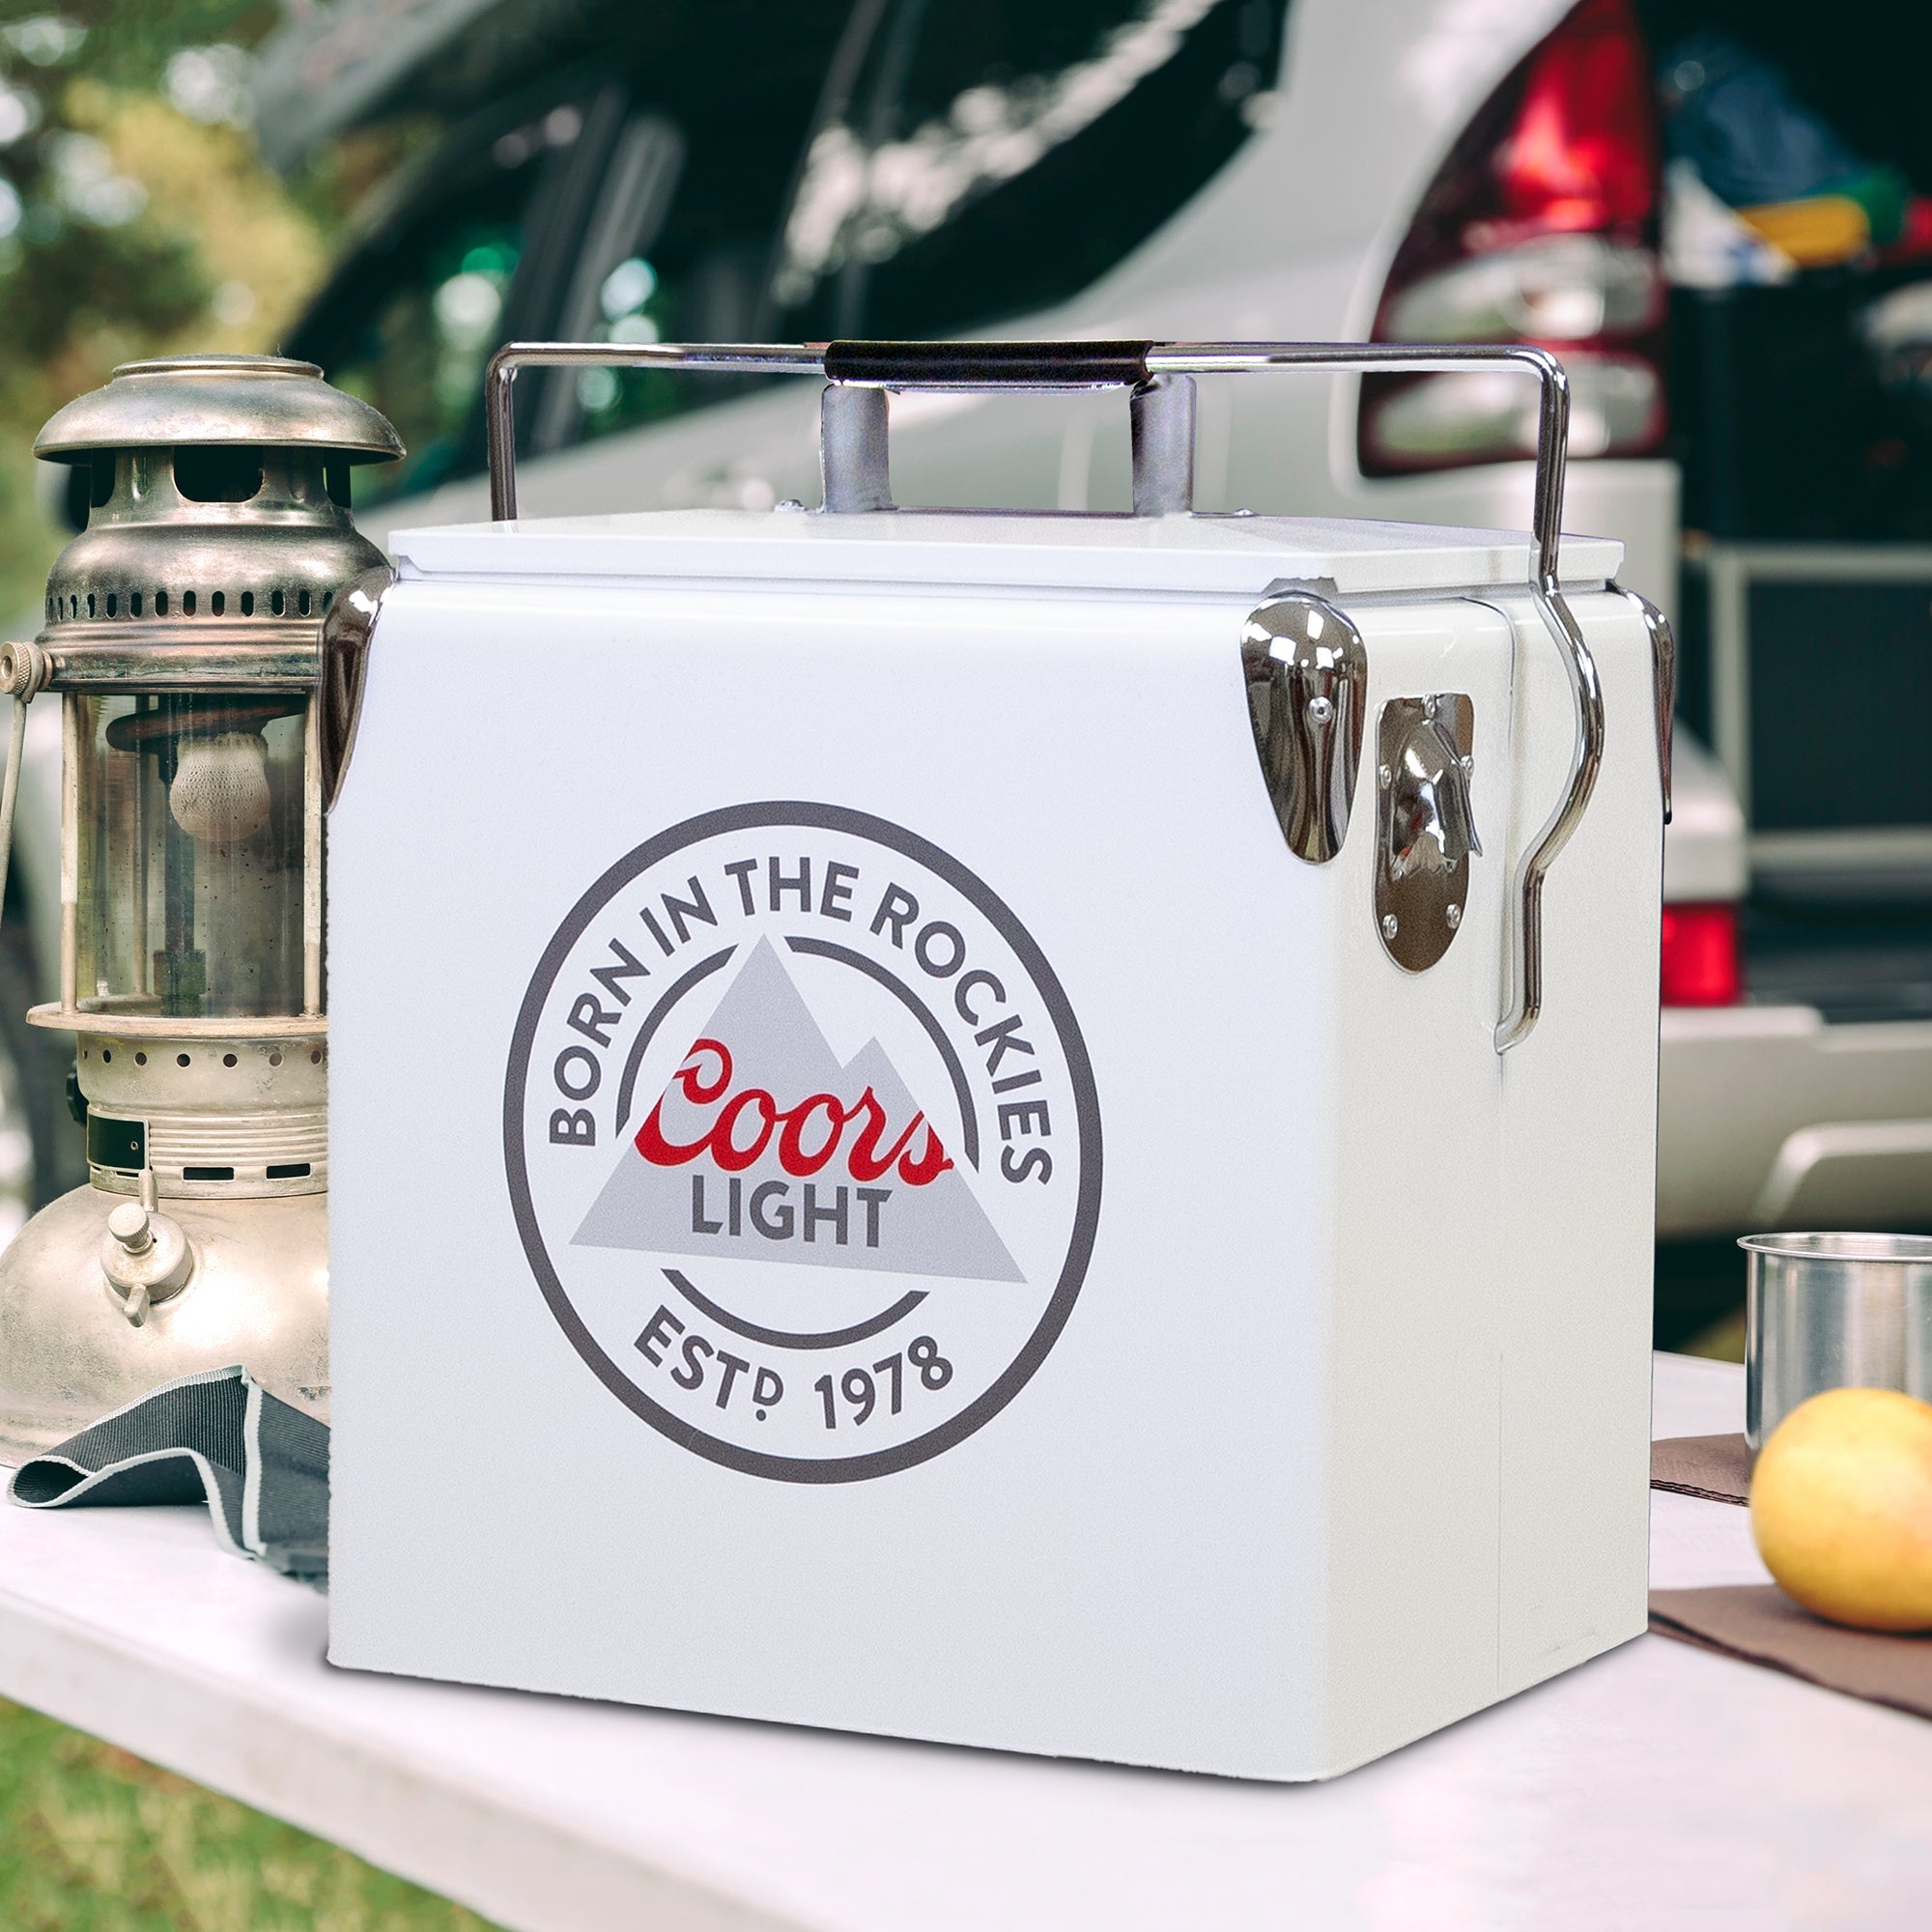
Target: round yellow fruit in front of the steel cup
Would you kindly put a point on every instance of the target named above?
(1842, 1508)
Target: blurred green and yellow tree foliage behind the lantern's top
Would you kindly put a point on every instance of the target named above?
(134, 219)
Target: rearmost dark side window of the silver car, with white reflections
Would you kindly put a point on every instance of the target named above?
(979, 163)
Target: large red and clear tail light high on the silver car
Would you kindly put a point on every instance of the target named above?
(1541, 227)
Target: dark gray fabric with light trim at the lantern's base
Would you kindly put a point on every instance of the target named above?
(219, 1438)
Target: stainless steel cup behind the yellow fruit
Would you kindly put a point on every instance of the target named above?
(1834, 1313)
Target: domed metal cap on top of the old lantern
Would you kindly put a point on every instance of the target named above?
(239, 401)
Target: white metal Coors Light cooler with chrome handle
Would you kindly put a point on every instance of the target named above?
(963, 1125)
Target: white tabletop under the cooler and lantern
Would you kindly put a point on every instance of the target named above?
(1657, 1788)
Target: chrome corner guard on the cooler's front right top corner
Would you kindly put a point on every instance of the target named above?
(1307, 671)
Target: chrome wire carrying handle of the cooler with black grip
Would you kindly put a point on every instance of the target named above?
(1160, 380)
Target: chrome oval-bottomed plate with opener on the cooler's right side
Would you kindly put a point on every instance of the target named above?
(1425, 826)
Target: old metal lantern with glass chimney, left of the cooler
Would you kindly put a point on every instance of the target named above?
(185, 637)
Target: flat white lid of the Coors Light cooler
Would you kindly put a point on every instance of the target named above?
(1207, 554)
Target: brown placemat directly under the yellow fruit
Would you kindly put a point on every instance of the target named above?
(1763, 1626)
